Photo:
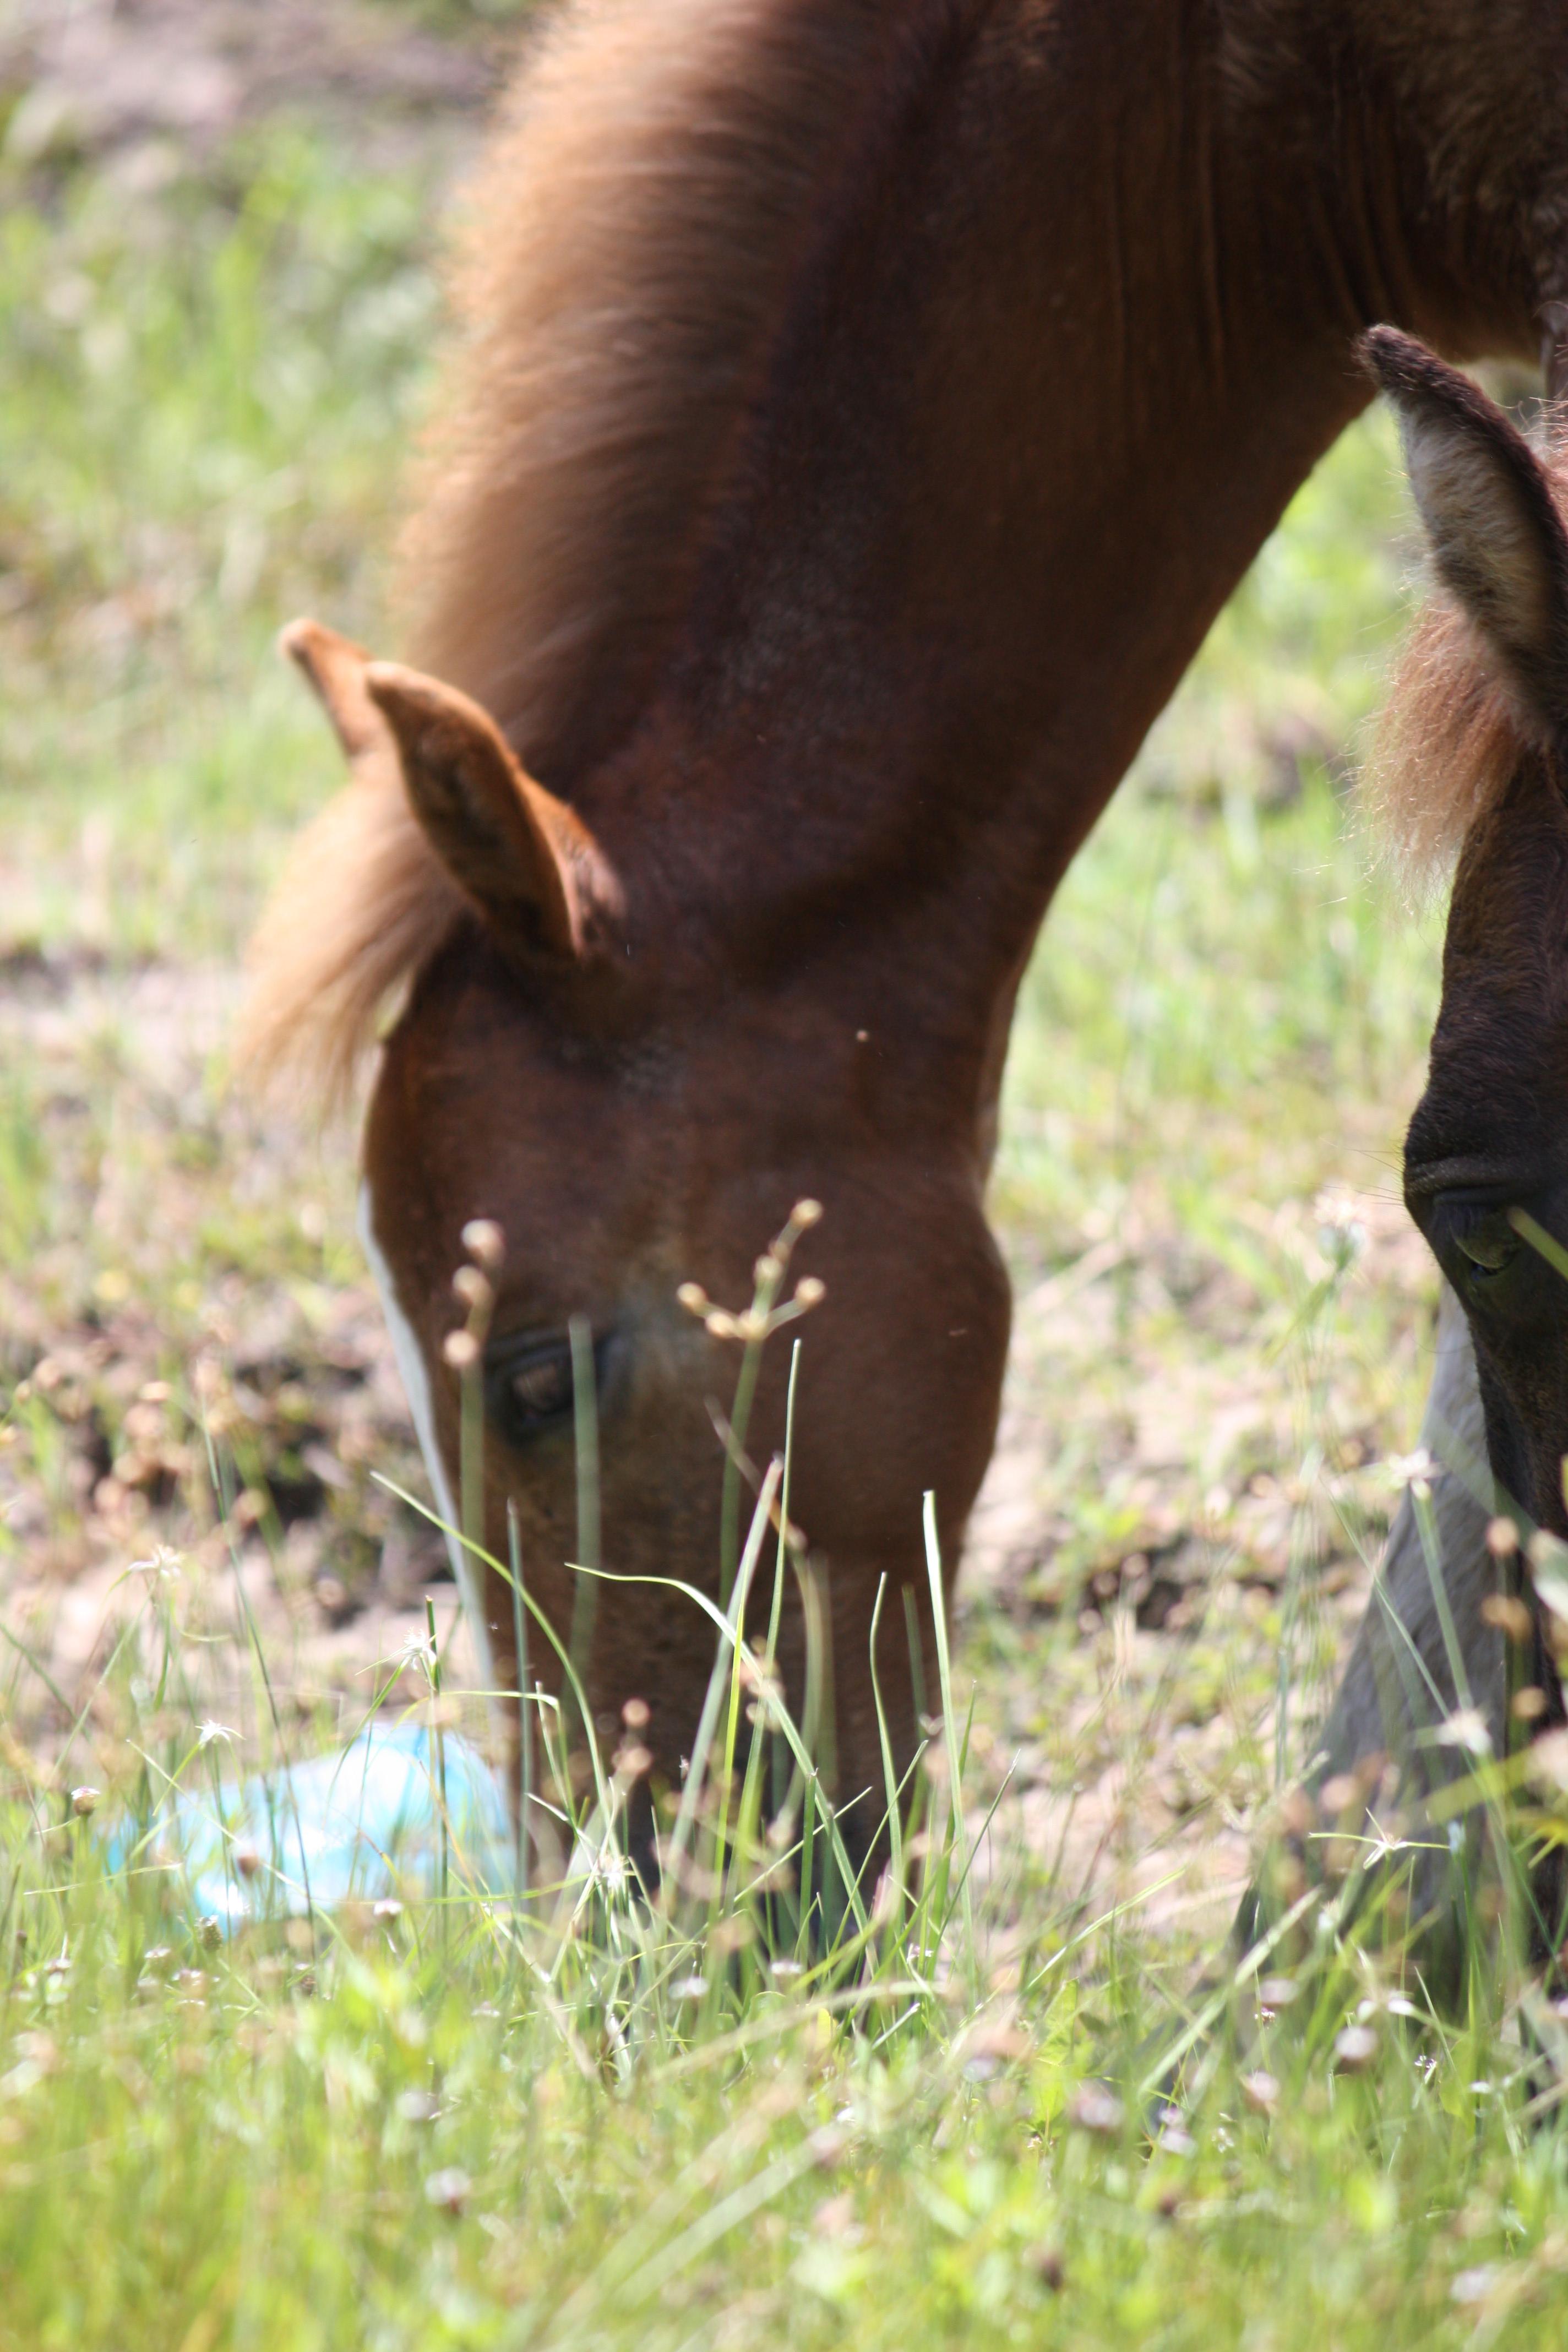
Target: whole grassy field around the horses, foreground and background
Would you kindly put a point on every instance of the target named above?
(481, 2130)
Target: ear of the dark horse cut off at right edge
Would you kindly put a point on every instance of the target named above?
(1492, 519)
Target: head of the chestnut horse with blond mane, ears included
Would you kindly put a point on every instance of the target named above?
(626, 1132)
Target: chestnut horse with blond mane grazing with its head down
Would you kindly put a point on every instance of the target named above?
(862, 417)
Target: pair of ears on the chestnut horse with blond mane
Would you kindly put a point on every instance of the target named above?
(516, 850)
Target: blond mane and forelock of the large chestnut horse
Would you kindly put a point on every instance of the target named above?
(622, 279)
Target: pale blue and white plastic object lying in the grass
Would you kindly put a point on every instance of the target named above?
(359, 1824)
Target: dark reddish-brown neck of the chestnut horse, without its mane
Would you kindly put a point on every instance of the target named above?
(1019, 443)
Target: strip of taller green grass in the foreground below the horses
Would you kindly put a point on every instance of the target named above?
(453, 2123)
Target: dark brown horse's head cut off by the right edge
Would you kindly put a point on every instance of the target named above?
(1477, 759)
